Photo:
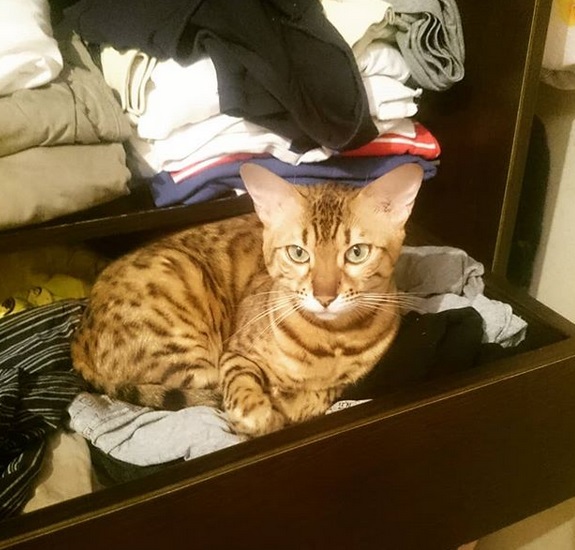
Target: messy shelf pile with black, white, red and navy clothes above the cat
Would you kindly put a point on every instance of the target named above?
(313, 90)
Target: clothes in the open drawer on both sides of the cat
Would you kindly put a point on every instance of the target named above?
(449, 325)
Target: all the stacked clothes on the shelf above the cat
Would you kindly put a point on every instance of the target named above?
(313, 89)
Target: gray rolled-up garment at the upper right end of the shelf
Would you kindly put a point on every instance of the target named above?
(430, 38)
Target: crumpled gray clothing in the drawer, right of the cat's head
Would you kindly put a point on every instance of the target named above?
(438, 278)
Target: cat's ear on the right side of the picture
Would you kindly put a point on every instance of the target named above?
(393, 193)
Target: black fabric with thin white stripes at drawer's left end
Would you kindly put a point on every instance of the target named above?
(36, 385)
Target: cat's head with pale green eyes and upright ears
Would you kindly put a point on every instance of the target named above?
(333, 246)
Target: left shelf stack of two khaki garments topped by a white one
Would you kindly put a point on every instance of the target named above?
(61, 128)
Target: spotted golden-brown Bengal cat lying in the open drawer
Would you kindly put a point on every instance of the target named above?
(269, 314)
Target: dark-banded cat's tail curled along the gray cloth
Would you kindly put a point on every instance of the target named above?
(158, 396)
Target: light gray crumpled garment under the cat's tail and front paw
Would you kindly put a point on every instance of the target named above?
(144, 436)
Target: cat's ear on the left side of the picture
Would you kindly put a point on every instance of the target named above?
(274, 198)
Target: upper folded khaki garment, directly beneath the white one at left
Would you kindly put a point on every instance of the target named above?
(78, 107)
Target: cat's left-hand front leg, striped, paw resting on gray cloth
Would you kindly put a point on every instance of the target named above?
(246, 401)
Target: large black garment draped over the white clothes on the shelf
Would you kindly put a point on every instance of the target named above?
(279, 63)
